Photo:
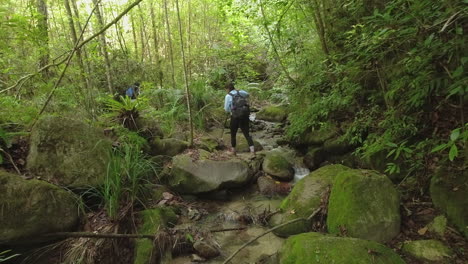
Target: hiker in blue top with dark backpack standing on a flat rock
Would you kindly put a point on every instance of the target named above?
(237, 105)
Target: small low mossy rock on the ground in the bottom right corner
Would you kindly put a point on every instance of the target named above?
(428, 251)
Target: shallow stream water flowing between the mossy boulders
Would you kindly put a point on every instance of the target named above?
(226, 214)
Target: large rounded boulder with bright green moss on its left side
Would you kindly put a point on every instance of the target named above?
(365, 204)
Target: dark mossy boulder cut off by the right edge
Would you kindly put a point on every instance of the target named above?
(449, 193)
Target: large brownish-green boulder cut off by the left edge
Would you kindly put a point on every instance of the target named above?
(30, 208)
